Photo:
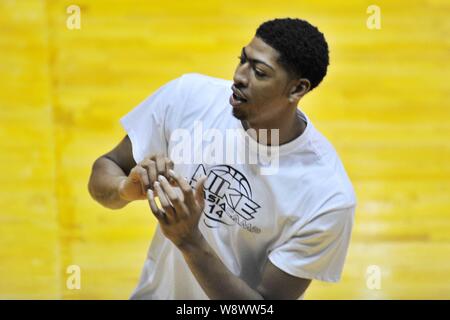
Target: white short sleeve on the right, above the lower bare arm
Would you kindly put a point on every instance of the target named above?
(318, 249)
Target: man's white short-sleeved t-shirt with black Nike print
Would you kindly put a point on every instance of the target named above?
(300, 217)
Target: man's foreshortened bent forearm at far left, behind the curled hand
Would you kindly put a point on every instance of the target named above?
(104, 183)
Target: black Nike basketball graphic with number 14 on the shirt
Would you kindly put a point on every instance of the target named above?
(228, 198)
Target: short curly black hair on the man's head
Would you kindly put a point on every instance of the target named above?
(302, 47)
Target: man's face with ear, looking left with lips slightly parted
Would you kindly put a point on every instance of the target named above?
(262, 87)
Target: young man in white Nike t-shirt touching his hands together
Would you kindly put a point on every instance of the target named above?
(230, 230)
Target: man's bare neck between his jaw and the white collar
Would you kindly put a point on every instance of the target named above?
(290, 127)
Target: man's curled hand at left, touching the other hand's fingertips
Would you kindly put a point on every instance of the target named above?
(143, 176)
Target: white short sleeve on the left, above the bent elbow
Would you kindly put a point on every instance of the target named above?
(150, 123)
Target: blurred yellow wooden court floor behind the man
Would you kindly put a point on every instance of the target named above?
(385, 106)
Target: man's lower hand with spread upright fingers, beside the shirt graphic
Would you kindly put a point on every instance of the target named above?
(181, 208)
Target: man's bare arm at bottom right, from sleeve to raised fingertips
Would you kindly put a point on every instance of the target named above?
(179, 223)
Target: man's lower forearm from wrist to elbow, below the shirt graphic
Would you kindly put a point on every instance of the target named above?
(213, 276)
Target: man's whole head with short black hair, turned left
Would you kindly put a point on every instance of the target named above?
(286, 59)
